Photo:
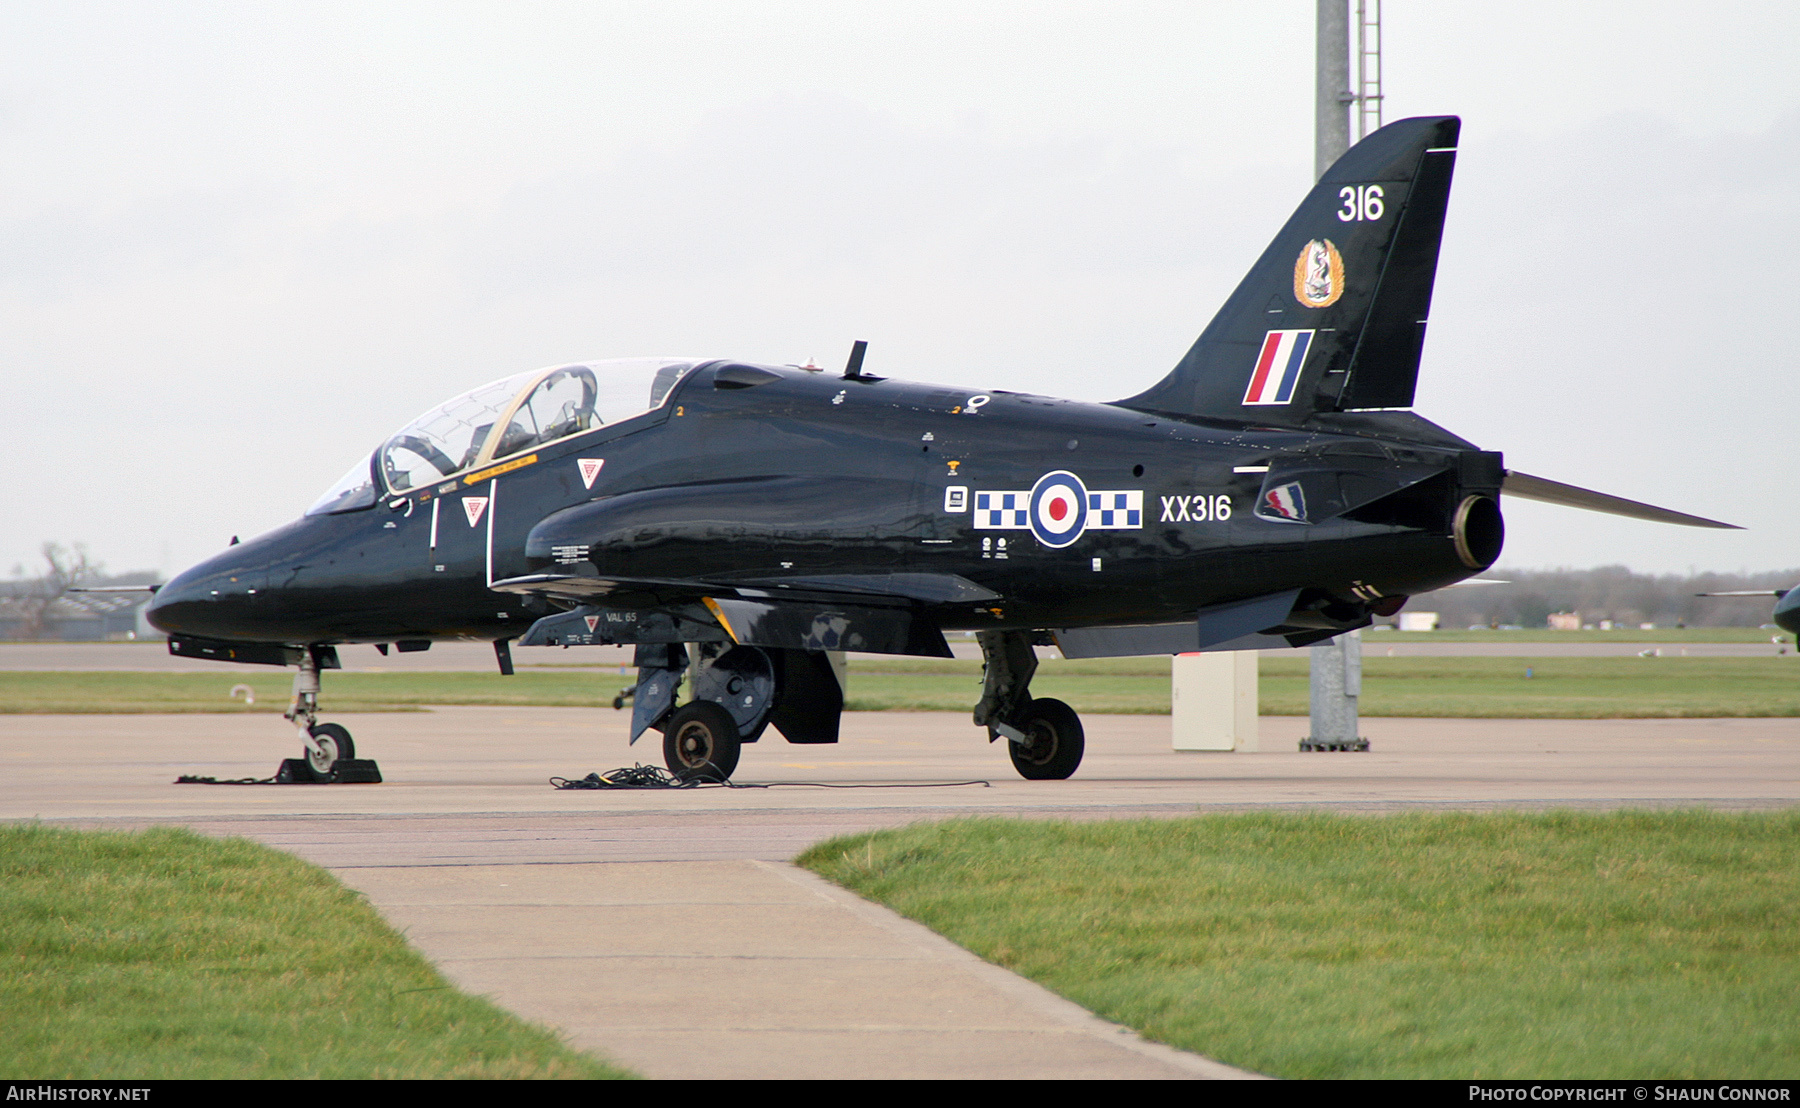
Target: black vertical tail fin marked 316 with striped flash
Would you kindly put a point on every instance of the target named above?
(1333, 316)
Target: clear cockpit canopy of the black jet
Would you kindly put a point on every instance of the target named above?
(503, 420)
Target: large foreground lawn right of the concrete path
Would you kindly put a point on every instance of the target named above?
(1426, 945)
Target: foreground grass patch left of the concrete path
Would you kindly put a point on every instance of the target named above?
(165, 954)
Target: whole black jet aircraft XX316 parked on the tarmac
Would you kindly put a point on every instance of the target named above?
(742, 524)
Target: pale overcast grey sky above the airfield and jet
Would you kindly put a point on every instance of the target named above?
(242, 244)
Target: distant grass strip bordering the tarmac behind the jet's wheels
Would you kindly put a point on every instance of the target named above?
(1493, 688)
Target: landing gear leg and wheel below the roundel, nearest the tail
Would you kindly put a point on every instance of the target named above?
(1043, 737)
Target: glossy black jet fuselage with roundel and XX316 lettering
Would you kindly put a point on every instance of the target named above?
(1137, 517)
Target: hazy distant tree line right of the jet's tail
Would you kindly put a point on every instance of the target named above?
(1606, 593)
